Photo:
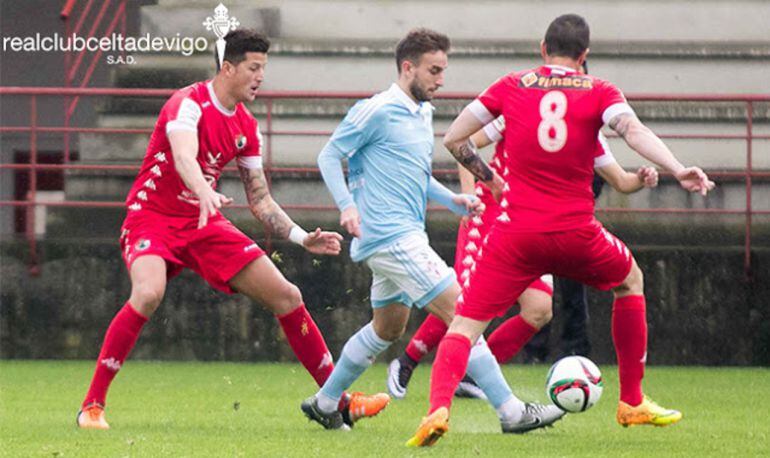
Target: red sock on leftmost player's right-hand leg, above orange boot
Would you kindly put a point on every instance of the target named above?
(308, 343)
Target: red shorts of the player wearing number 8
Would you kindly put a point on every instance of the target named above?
(510, 261)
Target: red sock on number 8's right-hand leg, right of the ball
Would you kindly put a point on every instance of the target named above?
(629, 332)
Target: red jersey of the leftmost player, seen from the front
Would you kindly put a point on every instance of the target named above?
(222, 136)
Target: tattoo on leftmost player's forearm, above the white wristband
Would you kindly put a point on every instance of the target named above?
(262, 205)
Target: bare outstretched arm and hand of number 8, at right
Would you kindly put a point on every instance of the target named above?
(642, 140)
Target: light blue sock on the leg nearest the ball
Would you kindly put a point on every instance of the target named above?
(483, 368)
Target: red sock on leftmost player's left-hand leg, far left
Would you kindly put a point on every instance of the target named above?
(118, 342)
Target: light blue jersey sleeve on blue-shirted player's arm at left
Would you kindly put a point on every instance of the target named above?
(363, 124)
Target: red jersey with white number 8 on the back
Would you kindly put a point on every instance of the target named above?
(552, 120)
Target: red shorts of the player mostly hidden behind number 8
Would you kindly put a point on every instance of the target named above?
(470, 238)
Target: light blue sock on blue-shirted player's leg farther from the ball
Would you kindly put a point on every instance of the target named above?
(358, 354)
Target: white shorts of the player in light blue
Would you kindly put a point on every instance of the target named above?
(408, 272)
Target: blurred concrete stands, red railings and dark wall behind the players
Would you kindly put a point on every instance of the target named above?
(74, 128)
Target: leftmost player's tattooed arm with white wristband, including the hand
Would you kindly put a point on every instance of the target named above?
(272, 216)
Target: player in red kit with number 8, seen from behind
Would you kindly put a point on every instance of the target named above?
(552, 115)
